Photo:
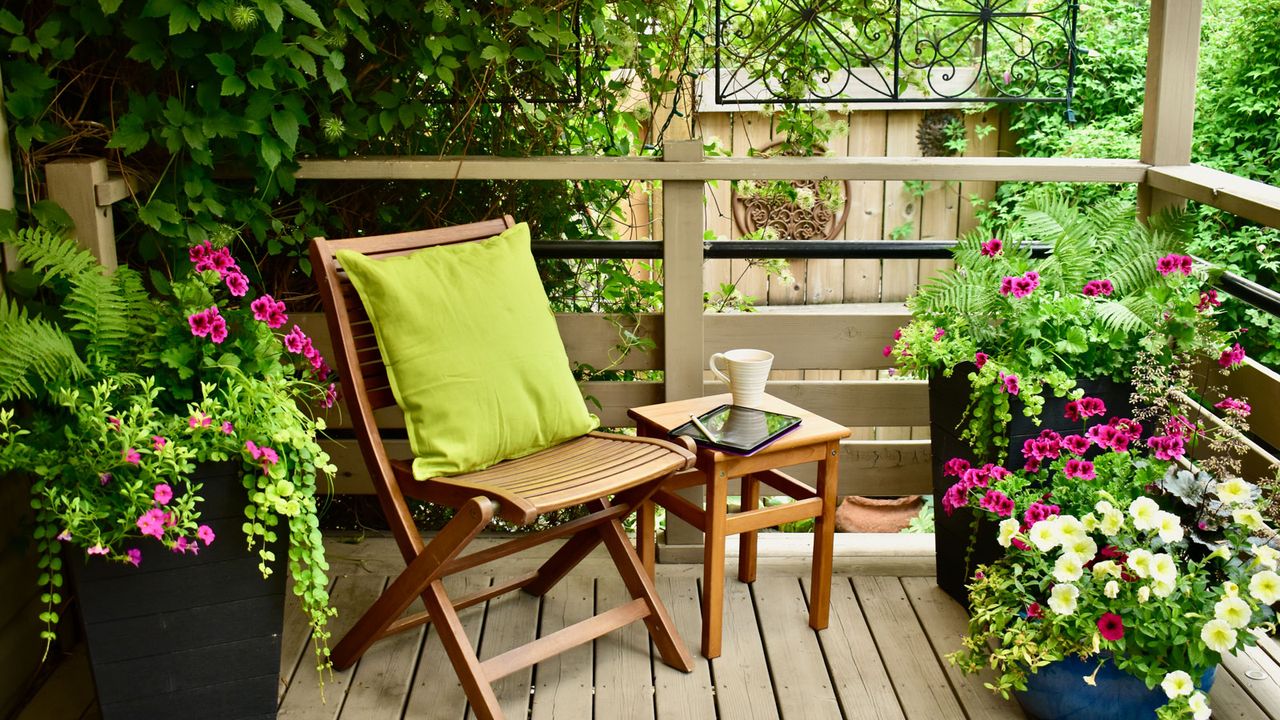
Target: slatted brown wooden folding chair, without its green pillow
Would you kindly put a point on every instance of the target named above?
(610, 475)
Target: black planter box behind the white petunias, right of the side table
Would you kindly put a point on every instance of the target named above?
(961, 549)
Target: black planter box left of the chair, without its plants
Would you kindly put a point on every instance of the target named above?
(188, 636)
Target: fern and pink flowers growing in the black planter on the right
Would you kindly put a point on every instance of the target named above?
(1023, 327)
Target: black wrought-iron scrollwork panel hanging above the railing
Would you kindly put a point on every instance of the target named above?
(895, 51)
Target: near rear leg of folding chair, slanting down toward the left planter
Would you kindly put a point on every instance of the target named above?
(424, 571)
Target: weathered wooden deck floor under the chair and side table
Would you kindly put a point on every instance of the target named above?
(883, 657)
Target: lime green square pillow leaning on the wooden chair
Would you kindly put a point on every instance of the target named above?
(473, 352)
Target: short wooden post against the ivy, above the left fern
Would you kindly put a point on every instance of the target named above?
(74, 185)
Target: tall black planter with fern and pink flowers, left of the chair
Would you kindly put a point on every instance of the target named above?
(173, 470)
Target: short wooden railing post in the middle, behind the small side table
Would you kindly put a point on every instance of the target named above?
(683, 297)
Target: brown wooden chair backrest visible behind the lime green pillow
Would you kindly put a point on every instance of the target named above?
(360, 362)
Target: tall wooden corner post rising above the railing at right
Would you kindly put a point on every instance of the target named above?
(1169, 110)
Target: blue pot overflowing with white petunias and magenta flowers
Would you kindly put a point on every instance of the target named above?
(1124, 577)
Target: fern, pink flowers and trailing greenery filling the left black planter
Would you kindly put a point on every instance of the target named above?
(109, 399)
